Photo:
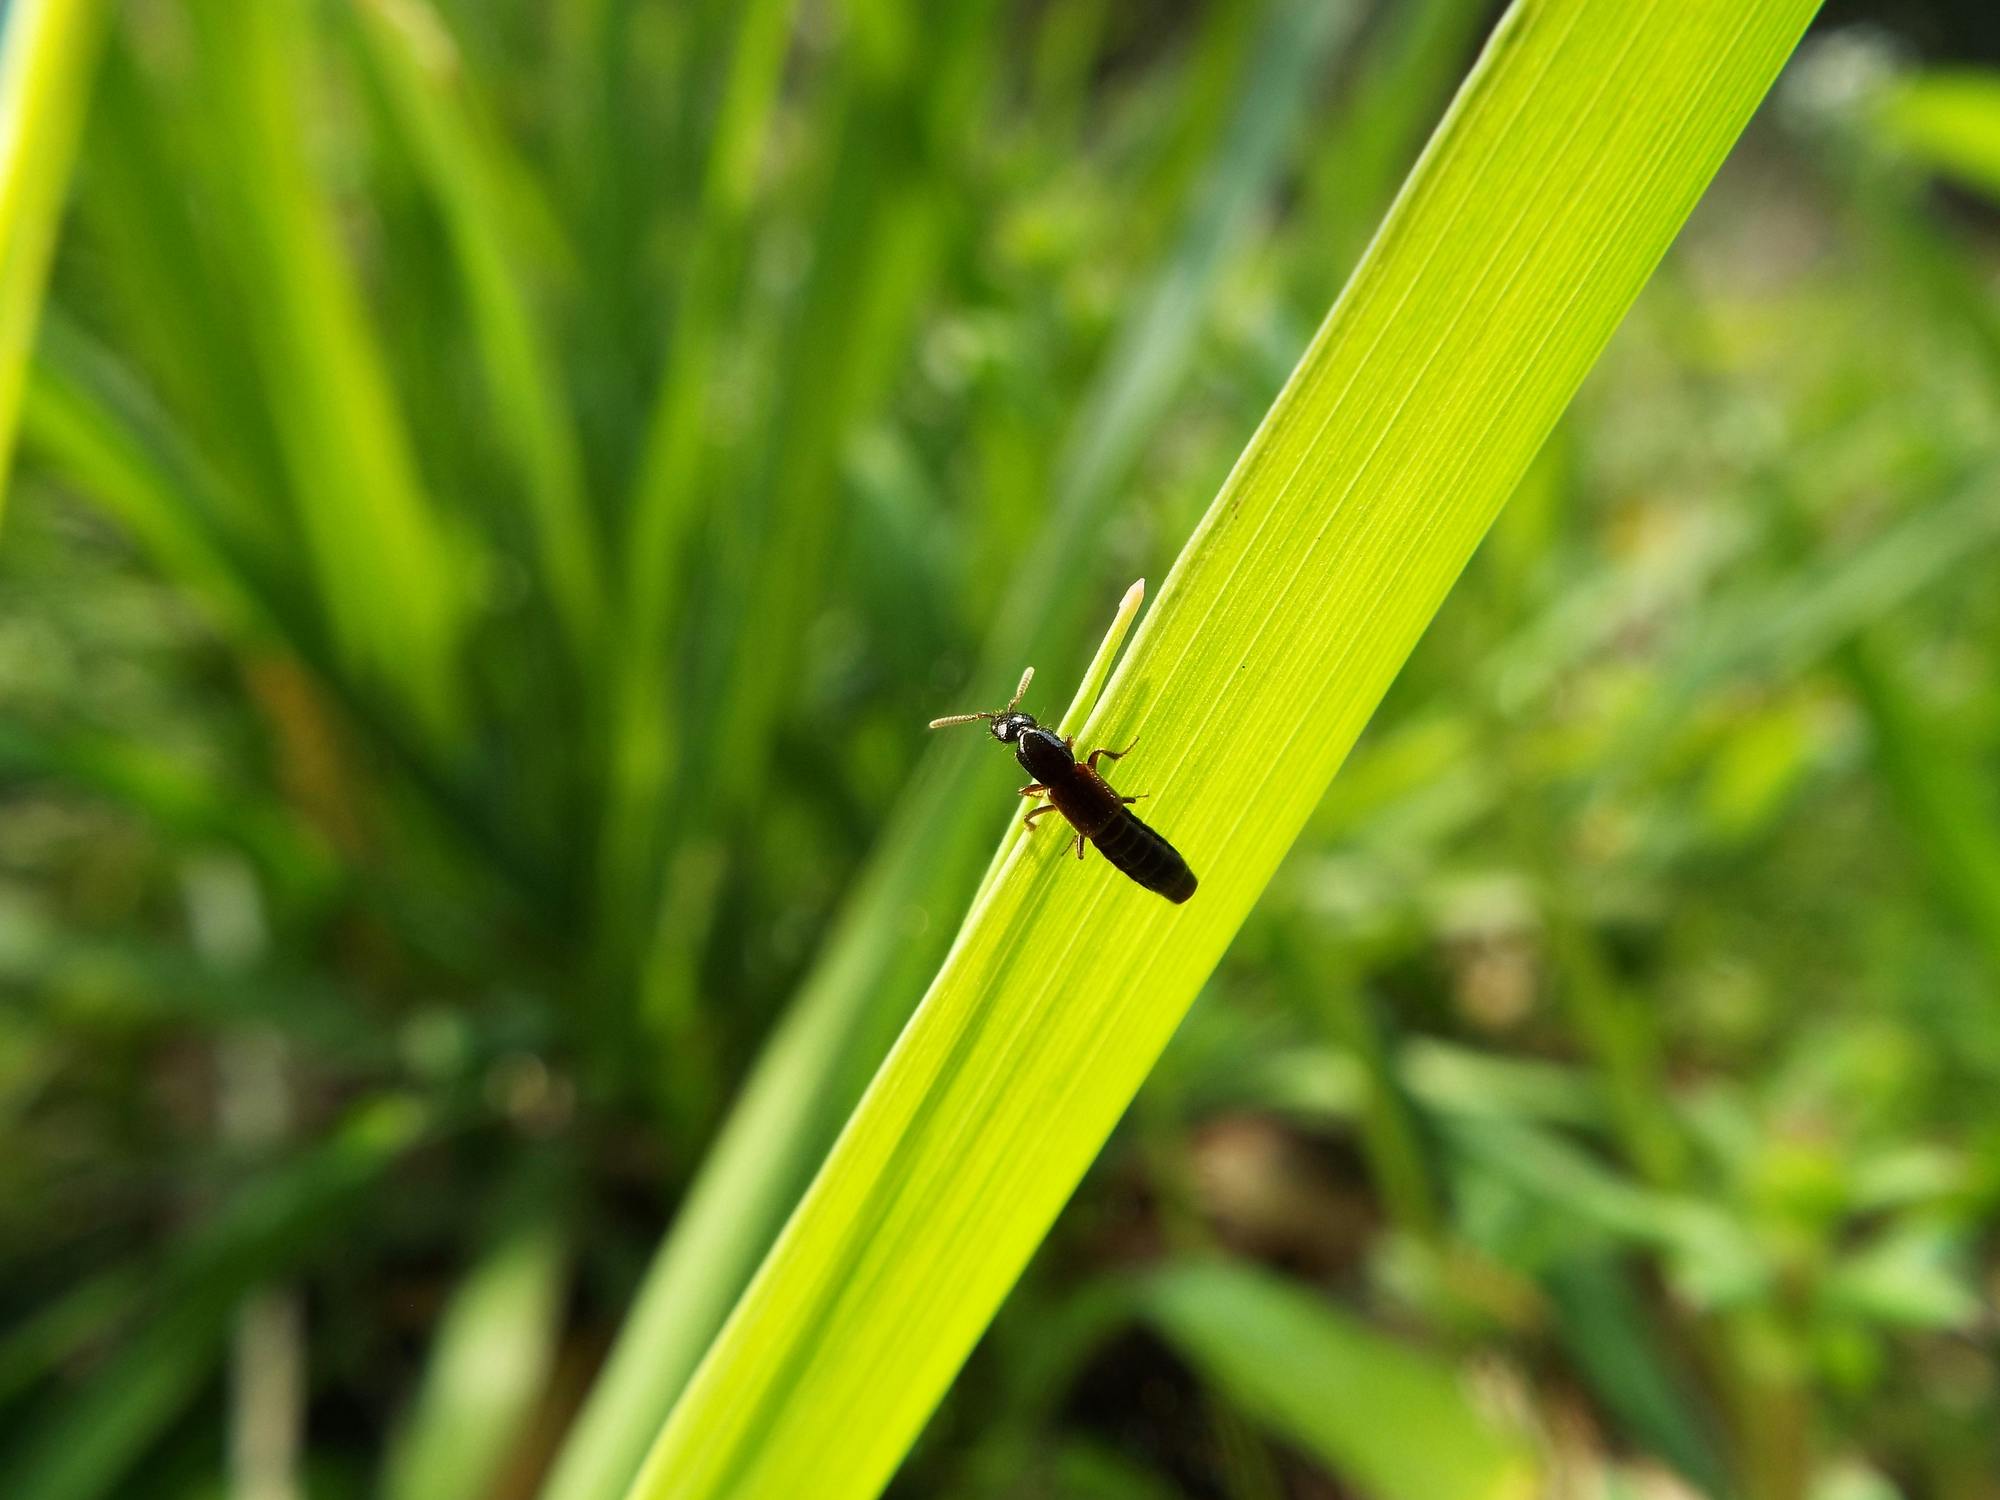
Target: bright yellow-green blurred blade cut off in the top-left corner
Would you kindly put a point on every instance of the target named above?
(47, 57)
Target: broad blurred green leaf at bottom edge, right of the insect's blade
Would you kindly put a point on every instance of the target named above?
(1345, 1393)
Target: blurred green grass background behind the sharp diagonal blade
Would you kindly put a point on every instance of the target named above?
(517, 483)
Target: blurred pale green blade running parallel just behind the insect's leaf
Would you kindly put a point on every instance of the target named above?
(895, 929)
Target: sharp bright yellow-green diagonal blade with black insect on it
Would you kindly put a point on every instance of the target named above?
(1565, 169)
